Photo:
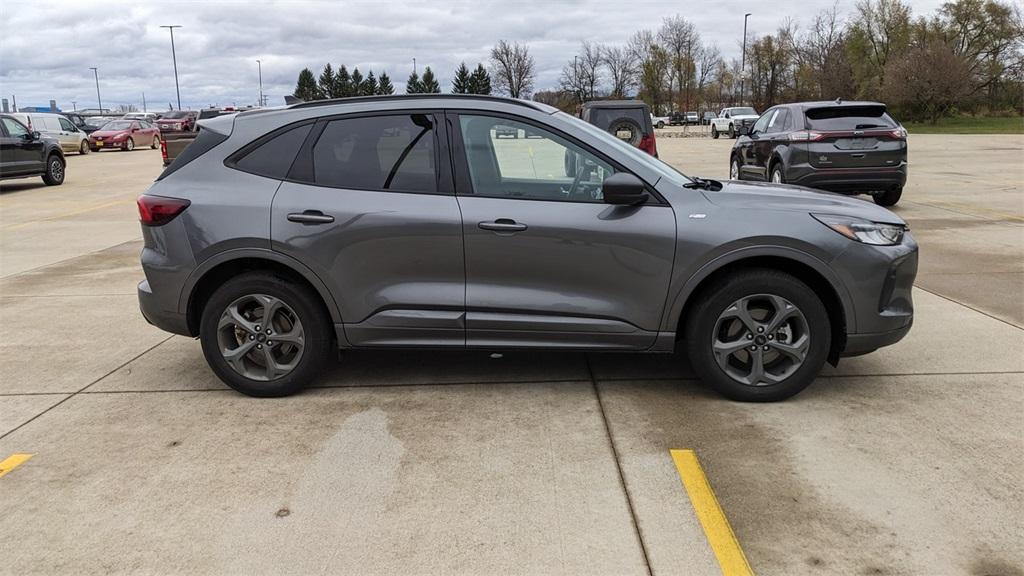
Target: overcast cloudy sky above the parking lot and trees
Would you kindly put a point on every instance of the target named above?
(47, 49)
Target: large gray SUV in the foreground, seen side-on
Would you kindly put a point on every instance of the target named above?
(282, 235)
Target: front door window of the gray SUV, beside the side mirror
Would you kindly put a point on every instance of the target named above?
(510, 159)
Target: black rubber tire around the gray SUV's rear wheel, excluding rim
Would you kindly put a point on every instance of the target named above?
(304, 302)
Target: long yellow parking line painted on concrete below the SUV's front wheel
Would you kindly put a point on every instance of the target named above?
(720, 537)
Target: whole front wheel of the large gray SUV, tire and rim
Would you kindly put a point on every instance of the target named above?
(758, 336)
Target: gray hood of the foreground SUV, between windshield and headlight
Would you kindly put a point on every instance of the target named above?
(766, 196)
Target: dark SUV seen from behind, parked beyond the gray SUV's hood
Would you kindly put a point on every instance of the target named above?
(850, 148)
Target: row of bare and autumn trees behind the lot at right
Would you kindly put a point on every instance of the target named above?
(966, 58)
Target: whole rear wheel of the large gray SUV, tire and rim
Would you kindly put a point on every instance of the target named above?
(265, 336)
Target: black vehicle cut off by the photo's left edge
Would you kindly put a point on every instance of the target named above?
(25, 153)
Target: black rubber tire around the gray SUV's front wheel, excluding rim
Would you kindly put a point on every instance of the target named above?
(713, 302)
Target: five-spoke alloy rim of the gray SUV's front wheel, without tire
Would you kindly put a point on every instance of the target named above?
(761, 340)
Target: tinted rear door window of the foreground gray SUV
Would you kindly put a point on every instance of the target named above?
(394, 153)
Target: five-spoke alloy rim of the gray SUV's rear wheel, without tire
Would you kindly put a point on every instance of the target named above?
(261, 338)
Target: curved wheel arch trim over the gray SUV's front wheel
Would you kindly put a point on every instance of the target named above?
(681, 297)
